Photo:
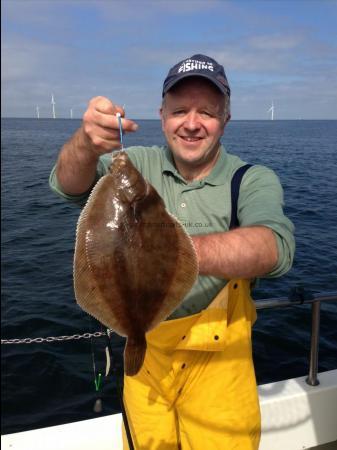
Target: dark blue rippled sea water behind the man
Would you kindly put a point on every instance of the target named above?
(51, 383)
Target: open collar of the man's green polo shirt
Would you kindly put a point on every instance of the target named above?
(217, 176)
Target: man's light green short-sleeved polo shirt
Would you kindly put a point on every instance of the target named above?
(204, 207)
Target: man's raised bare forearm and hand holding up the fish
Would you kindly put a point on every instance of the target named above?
(99, 134)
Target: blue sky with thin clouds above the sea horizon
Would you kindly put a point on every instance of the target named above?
(283, 52)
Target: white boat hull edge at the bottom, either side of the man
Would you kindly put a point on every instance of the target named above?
(295, 416)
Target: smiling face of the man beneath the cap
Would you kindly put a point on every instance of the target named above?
(193, 122)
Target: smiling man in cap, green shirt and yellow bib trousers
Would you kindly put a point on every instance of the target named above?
(196, 389)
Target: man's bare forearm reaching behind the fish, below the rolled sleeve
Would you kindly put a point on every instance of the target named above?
(247, 252)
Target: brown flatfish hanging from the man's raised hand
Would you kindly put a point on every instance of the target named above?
(134, 262)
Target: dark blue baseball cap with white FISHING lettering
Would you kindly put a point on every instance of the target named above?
(201, 66)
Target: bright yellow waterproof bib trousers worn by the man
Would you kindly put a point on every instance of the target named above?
(197, 389)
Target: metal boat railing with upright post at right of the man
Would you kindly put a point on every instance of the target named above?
(299, 296)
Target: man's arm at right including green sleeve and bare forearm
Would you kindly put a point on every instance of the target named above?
(263, 245)
